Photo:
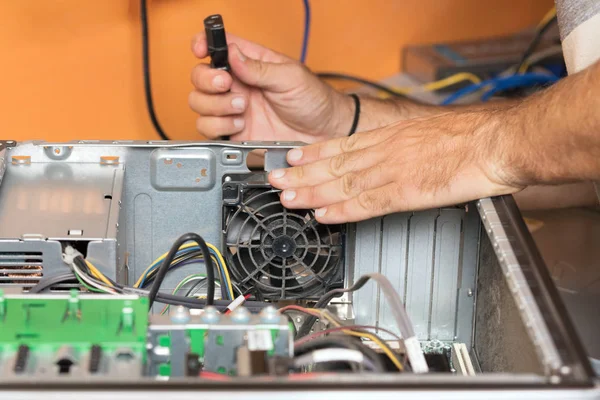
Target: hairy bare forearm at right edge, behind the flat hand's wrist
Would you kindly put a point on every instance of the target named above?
(554, 136)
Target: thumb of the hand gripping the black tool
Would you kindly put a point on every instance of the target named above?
(277, 77)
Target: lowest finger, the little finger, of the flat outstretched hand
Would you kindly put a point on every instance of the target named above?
(368, 204)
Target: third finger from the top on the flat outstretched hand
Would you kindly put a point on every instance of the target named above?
(336, 191)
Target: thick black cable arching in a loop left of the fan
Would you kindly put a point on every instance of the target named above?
(164, 267)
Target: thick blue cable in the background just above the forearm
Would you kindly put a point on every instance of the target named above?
(501, 83)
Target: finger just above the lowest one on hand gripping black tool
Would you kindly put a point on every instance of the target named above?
(217, 104)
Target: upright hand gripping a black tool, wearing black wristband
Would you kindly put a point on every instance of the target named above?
(272, 97)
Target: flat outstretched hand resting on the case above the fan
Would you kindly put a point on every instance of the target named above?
(411, 165)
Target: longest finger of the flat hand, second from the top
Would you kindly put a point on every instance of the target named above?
(324, 170)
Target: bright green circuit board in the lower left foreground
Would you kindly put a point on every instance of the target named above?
(51, 321)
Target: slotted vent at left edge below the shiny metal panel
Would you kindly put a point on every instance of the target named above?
(21, 268)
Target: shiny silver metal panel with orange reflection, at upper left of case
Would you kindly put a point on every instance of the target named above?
(51, 199)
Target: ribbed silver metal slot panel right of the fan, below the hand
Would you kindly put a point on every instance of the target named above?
(431, 258)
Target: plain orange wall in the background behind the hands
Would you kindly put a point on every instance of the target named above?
(71, 69)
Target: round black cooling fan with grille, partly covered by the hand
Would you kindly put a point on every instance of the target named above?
(281, 253)
